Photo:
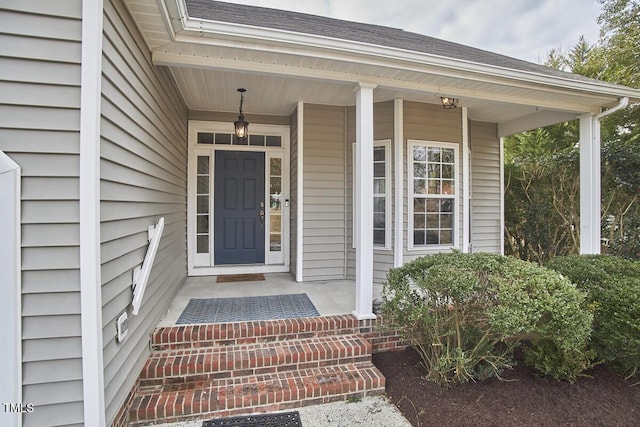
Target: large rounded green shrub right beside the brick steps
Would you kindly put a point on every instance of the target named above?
(466, 313)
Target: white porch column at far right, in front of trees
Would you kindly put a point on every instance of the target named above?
(589, 185)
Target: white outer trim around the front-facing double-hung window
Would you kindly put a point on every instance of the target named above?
(411, 143)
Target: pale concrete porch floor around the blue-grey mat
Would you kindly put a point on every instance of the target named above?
(329, 297)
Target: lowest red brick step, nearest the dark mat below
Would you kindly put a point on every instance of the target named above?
(251, 393)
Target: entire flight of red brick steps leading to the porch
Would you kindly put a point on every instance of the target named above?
(217, 370)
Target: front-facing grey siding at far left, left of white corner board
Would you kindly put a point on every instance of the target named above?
(40, 52)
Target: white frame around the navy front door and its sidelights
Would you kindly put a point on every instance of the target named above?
(272, 264)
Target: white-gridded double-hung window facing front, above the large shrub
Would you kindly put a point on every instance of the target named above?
(432, 192)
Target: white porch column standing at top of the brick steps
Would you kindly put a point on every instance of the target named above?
(364, 201)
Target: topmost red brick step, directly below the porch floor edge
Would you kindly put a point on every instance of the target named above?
(224, 334)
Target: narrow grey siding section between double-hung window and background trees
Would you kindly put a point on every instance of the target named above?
(486, 209)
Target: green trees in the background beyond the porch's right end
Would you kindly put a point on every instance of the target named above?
(542, 167)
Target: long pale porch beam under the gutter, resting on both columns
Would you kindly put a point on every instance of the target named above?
(171, 59)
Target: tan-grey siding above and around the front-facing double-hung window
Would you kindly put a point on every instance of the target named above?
(430, 122)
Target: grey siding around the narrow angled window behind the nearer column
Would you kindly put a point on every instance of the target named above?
(383, 128)
